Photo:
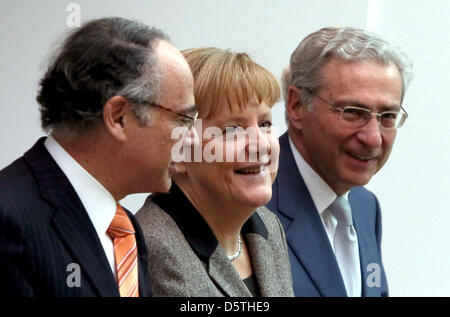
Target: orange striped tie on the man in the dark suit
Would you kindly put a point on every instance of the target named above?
(125, 251)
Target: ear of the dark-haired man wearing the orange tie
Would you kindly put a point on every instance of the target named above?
(116, 117)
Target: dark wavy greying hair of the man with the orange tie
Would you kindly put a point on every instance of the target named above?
(104, 58)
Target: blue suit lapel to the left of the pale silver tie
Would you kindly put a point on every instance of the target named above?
(305, 234)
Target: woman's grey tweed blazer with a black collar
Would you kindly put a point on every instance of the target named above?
(185, 258)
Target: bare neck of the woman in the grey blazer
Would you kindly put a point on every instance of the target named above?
(224, 218)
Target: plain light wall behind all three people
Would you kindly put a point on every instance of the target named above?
(413, 187)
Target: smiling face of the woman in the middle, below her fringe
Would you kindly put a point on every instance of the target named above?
(241, 178)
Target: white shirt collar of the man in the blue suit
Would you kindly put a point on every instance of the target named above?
(322, 194)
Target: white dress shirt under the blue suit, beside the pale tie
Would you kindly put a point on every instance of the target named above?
(321, 193)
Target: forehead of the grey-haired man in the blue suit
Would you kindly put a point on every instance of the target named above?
(366, 79)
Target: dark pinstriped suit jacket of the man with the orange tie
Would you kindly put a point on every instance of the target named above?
(44, 228)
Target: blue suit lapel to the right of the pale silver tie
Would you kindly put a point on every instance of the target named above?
(367, 245)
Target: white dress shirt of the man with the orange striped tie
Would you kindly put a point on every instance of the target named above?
(98, 202)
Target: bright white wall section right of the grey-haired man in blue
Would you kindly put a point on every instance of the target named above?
(414, 186)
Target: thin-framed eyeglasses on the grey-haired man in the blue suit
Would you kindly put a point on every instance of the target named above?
(357, 116)
